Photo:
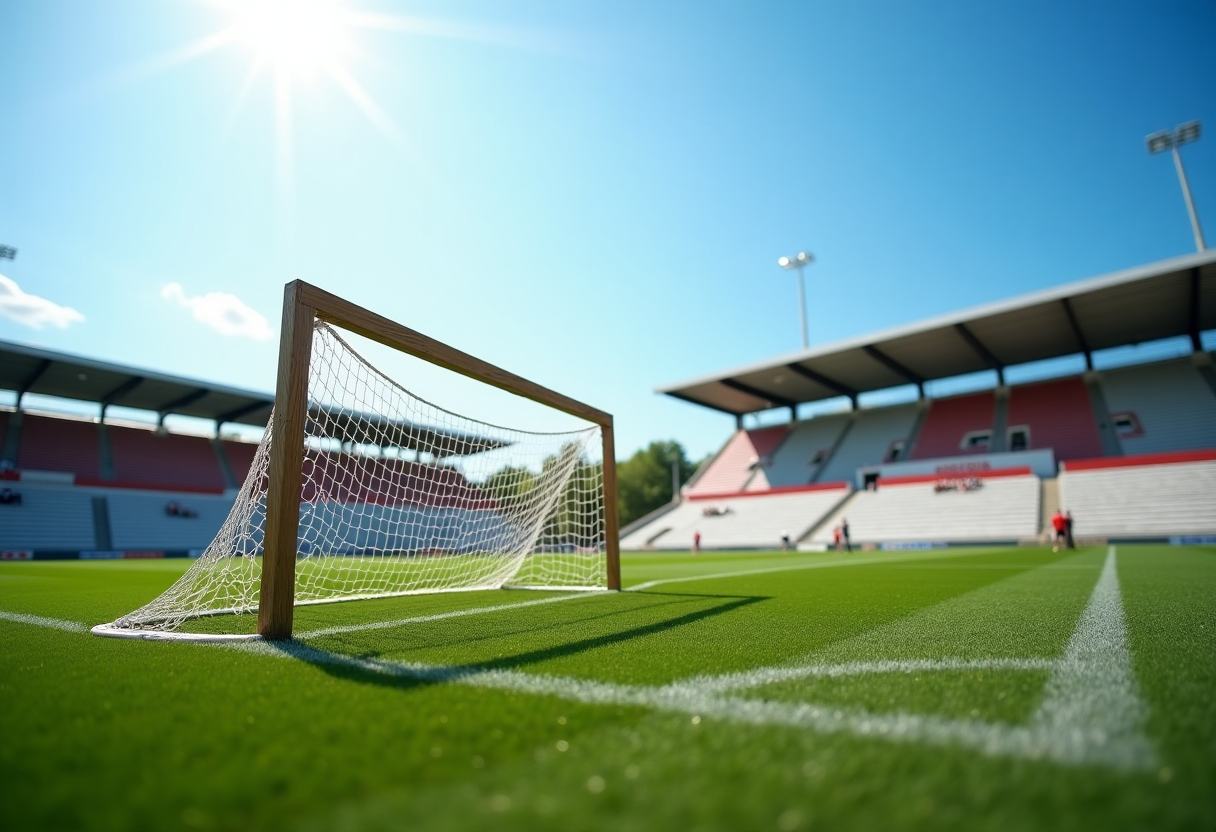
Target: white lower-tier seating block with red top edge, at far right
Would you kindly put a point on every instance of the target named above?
(1145, 497)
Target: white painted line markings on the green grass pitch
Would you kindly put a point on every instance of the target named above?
(1091, 715)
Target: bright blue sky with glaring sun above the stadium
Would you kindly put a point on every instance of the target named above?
(592, 195)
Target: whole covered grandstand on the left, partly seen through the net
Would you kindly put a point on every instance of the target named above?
(99, 486)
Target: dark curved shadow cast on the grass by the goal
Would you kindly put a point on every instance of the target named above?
(368, 668)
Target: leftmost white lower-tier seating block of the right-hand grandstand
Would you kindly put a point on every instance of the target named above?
(740, 521)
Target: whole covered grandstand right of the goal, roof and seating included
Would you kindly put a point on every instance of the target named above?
(1130, 449)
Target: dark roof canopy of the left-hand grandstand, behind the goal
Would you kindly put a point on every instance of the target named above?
(32, 370)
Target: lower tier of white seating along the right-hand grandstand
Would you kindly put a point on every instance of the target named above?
(1135, 501)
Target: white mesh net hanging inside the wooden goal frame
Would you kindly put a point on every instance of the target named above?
(403, 497)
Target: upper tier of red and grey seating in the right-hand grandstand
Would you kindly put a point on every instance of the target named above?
(1159, 408)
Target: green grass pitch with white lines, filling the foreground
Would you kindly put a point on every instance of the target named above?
(949, 690)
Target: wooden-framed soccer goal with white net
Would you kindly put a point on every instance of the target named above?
(363, 490)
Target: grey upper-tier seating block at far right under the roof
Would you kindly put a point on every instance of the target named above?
(1161, 408)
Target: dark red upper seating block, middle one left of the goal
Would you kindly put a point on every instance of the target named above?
(164, 460)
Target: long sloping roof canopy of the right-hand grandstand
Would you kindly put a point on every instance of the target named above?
(1164, 300)
